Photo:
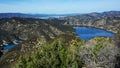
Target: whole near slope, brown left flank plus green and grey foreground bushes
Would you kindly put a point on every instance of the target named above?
(64, 51)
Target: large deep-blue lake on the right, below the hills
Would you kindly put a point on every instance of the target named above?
(87, 33)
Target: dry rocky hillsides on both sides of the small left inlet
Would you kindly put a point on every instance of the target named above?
(32, 31)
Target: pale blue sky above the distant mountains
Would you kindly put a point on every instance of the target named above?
(58, 6)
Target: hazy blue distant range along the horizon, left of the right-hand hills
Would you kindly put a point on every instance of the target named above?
(23, 15)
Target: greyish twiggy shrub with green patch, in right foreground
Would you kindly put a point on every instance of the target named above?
(103, 55)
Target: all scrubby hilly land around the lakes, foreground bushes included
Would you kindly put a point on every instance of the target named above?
(52, 42)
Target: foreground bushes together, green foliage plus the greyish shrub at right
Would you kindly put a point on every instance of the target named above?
(69, 52)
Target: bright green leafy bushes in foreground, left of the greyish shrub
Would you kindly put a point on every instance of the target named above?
(59, 54)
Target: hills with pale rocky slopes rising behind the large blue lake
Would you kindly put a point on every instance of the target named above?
(106, 20)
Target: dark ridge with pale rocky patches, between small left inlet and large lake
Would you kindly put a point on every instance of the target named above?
(25, 28)
